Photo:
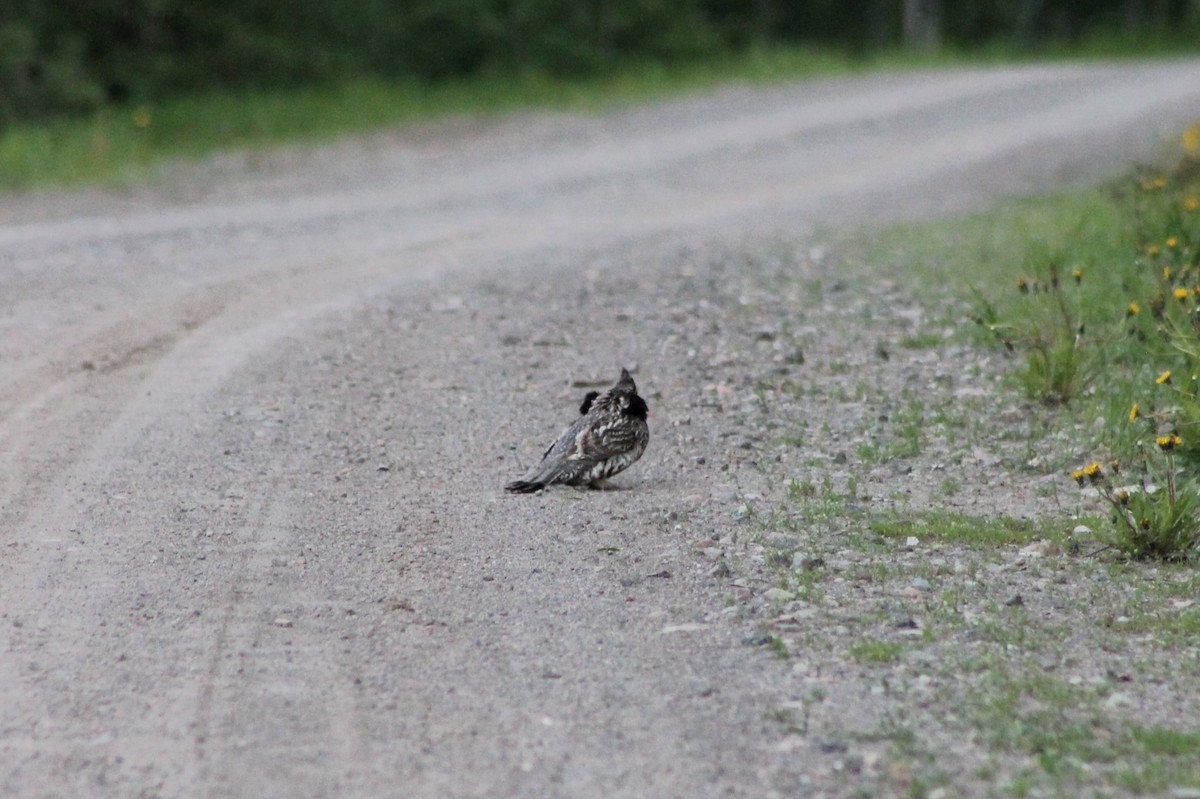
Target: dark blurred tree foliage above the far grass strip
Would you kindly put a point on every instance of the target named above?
(68, 57)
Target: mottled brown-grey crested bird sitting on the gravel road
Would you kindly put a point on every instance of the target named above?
(609, 437)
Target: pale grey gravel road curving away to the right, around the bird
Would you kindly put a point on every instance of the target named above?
(256, 418)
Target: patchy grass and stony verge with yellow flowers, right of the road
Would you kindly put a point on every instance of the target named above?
(1070, 671)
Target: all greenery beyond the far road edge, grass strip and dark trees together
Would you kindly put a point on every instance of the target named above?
(104, 91)
